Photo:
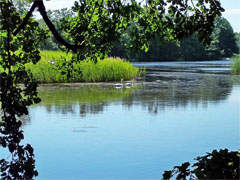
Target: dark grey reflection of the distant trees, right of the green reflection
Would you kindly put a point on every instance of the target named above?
(176, 92)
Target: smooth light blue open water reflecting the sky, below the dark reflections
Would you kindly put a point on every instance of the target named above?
(123, 143)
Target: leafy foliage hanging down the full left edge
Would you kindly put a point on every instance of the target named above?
(15, 52)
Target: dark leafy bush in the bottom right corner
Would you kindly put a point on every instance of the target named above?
(220, 164)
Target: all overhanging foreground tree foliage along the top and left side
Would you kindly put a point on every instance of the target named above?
(90, 34)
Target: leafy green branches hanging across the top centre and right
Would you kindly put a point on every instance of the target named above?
(98, 24)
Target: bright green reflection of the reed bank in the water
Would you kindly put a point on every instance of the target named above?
(84, 99)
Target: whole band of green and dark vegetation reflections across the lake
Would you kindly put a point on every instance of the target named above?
(158, 92)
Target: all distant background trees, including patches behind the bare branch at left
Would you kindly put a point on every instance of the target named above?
(224, 43)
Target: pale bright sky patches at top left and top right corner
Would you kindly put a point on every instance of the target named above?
(232, 9)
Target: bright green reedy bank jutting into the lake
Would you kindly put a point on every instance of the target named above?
(109, 69)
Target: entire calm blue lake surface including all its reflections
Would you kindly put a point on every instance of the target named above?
(177, 112)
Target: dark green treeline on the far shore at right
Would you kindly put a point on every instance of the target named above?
(224, 44)
